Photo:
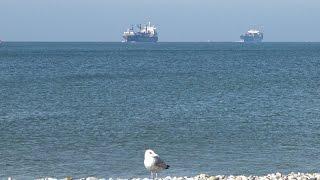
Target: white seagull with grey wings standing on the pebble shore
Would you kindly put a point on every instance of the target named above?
(153, 163)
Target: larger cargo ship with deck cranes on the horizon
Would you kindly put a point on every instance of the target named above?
(148, 33)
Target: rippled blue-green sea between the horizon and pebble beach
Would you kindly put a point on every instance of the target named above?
(92, 109)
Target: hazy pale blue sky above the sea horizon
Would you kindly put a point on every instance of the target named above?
(176, 20)
